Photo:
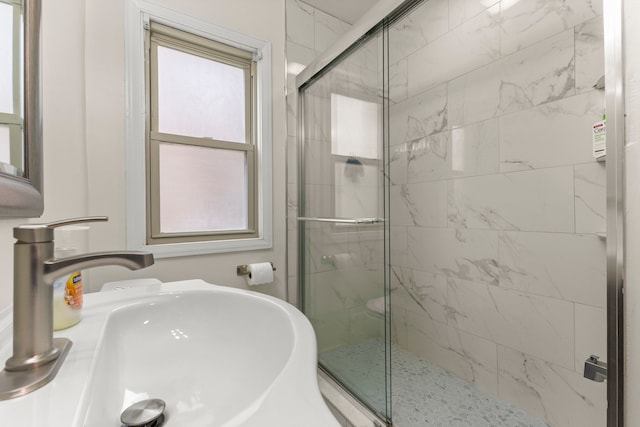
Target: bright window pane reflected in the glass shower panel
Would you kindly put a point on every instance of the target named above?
(355, 127)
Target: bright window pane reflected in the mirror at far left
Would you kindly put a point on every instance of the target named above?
(6, 58)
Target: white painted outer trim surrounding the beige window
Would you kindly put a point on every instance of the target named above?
(138, 15)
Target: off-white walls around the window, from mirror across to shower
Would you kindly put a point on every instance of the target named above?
(84, 121)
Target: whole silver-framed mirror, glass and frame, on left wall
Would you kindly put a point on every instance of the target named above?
(20, 110)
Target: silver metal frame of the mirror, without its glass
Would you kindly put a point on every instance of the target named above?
(23, 197)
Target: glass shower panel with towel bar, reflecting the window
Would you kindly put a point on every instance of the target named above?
(341, 221)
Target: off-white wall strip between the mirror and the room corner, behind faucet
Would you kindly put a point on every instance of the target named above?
(65, 175)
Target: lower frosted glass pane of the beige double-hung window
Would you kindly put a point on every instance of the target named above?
(202, 189)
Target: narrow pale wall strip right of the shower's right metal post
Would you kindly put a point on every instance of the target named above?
(632, 188)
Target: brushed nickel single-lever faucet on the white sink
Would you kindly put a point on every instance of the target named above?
(37, 356)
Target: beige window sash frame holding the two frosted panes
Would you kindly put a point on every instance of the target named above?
(161, 35)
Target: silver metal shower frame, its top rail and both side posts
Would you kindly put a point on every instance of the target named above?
(614, 106)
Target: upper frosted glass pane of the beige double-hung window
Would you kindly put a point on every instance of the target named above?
(199, 97)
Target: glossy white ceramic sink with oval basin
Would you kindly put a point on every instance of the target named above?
(217, 356)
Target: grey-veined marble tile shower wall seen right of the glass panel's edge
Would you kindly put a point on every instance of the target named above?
(498, 214)
